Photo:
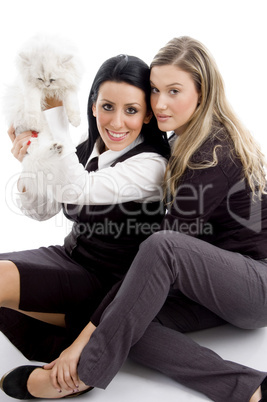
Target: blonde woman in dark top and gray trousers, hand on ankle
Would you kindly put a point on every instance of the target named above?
(208, 264)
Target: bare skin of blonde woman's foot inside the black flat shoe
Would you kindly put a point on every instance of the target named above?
(39, 386)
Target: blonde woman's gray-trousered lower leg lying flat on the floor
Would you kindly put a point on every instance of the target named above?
(185, 361)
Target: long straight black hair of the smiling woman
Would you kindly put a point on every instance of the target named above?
(133, 71)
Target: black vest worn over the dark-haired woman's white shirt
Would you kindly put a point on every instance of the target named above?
(105, 238)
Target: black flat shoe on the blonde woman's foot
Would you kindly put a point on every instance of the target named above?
(14, 384)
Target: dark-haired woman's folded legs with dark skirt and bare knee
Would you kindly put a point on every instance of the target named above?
(40, 283)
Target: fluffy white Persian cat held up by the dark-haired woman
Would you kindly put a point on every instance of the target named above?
(47, 67)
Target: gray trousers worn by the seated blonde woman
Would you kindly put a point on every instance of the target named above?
(229, 286)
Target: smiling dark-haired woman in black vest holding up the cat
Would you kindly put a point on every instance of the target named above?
(110, 189)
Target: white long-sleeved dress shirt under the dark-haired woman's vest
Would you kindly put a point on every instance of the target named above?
(139, 178)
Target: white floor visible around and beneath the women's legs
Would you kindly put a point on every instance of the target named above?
(137, 384)
